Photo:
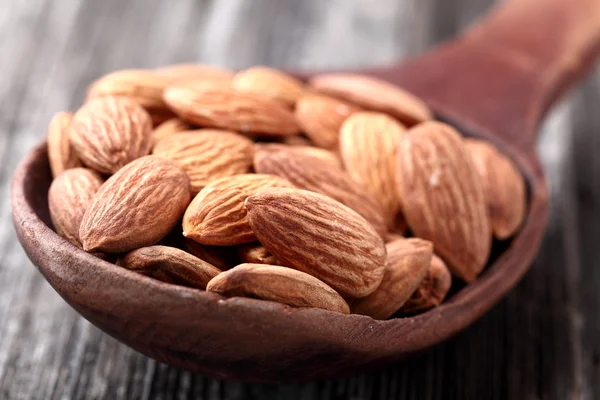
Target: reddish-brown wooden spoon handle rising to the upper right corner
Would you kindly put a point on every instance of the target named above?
(503, 73)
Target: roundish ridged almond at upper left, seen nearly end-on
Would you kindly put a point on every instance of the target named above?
(109, 132)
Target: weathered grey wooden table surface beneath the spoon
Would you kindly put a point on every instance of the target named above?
(541, 342)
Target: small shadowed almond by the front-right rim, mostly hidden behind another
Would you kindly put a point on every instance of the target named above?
(432, 290)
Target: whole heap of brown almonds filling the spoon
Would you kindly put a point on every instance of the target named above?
(341, 194)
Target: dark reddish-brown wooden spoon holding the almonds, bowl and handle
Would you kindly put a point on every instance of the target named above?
(494, 81)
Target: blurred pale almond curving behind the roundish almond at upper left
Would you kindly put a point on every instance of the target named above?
(145, 87)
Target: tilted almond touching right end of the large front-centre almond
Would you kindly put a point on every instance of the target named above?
(407, 264)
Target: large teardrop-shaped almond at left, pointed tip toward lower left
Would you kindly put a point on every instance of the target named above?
(136, 207)
